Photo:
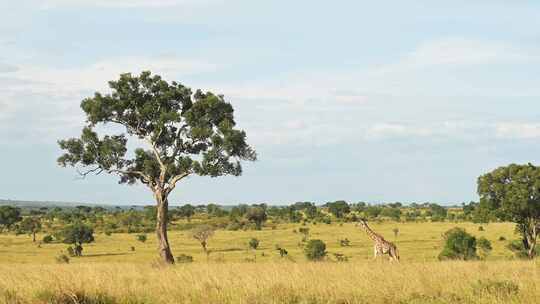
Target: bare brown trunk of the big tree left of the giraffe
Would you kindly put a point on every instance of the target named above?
(161, 227)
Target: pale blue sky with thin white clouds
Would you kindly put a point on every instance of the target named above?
(390, 101)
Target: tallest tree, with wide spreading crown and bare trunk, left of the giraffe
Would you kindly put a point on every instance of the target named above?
(178, 133)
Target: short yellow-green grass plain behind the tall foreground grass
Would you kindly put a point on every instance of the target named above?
(417, 242)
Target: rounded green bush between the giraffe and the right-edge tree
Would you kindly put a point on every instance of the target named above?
(459, 245)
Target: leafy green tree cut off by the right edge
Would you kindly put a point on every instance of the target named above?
(513, 193)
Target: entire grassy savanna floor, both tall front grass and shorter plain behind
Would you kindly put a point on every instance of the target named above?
(110, 272)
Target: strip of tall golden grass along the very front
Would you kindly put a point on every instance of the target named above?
(377, 282)
